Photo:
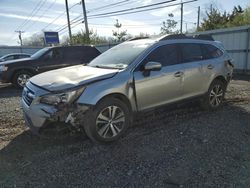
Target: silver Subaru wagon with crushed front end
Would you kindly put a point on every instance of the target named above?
(135, 76)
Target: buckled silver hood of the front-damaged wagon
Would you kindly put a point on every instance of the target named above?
(70, 77)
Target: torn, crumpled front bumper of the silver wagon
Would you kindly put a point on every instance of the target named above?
(38, 115)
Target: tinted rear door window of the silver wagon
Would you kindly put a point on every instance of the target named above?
(191, 52)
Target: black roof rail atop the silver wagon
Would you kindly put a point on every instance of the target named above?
(183, 36)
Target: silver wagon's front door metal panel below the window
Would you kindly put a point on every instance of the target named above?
(159, 88)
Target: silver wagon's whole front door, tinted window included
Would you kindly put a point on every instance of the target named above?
(163, 86)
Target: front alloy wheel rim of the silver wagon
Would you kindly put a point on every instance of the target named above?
(110, 121)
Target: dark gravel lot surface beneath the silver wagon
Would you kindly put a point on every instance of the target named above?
(180, 147)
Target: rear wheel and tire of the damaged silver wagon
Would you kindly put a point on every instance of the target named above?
(215, 96)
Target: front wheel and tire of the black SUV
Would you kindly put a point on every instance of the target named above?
(21, 77)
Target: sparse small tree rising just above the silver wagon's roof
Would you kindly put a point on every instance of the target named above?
(168, 26)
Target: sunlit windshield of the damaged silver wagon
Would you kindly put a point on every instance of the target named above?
(119, 57)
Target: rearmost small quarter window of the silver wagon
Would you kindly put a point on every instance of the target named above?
(210, 51)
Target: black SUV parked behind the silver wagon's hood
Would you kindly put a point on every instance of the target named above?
(20, 71)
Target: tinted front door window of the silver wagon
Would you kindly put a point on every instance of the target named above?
(166, 55)
